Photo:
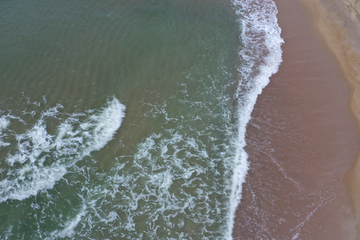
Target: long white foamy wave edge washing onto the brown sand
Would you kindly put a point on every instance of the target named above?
(261, 56)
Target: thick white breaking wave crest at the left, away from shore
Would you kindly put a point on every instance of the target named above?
(42, 158)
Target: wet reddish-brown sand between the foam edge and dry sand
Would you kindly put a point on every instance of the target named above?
(302, 140)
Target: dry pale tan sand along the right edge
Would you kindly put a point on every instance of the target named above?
(339, 31)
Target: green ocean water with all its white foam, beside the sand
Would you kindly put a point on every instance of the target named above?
(126, 119)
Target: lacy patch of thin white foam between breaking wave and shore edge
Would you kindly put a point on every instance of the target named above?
(150, 180)
